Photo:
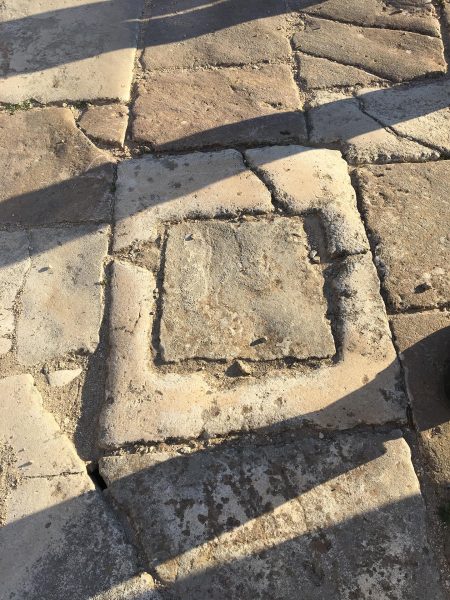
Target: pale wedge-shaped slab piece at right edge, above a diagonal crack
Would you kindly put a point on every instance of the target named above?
(421, 112)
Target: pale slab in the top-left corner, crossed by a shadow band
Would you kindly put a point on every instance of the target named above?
(63, 50)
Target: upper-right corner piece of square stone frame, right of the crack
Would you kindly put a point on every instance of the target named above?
(305, 179)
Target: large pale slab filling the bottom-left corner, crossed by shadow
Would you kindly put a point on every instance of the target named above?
(60, 539)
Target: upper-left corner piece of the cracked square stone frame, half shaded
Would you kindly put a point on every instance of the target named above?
(199, 185)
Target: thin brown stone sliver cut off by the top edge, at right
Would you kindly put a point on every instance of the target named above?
(419, 16)
